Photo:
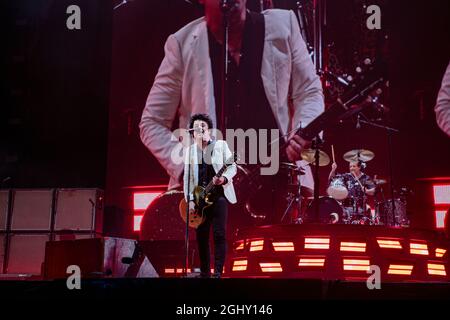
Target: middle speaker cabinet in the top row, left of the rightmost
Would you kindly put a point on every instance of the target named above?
(32, 210)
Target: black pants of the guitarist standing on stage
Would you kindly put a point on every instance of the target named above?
(216, 215)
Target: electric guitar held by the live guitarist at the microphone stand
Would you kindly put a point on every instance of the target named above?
(203, 198)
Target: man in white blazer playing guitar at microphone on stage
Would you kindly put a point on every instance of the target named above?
(210, 189)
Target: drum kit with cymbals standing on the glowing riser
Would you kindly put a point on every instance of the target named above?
(342, 206)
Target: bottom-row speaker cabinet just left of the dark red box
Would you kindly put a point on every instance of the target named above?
(26, 253)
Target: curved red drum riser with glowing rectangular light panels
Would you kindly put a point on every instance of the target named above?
(344, 252)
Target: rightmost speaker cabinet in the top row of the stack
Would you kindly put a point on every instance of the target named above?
(79, 210)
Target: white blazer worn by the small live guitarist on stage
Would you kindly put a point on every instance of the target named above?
(220, 154)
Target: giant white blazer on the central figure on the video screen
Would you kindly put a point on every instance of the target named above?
(184, 84)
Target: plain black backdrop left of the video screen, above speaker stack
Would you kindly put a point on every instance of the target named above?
(55, 93)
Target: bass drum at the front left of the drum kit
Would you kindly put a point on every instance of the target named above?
(330, 211)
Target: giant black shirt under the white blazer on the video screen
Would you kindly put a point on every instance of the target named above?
(248, 106)
